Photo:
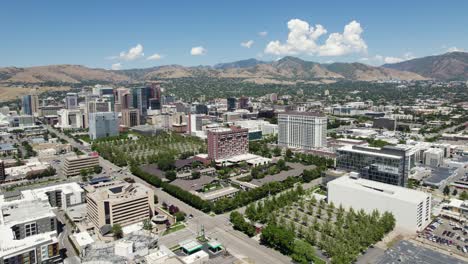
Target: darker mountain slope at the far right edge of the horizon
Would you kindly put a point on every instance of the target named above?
(445, 67)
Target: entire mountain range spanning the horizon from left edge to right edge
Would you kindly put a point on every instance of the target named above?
(449, 66)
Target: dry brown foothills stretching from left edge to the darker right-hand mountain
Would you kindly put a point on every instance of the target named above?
(287, 69)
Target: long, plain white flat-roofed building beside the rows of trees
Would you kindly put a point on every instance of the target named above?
(411, 208)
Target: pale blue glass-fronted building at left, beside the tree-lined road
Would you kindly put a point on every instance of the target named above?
(103, 124)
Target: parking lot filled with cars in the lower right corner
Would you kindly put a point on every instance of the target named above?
(448, 234)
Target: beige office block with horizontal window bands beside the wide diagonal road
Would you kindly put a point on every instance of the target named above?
(119, 203)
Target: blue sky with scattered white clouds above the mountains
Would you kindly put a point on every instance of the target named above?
(101, 33)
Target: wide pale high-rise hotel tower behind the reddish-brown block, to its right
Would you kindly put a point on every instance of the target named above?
(302, 130)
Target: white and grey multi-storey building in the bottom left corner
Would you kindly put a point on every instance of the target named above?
(28, 232)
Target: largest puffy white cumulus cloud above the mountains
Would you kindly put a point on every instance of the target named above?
(302, 39)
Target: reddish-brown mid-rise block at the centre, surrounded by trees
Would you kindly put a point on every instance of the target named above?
(224, 143)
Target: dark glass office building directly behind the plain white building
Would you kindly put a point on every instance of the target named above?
(389, 164)
